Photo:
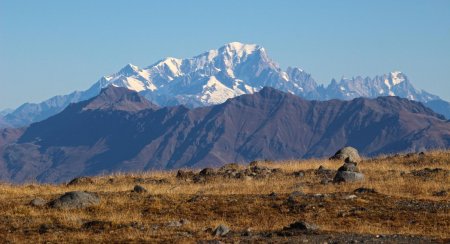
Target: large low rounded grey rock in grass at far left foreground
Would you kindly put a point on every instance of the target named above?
(75, 199)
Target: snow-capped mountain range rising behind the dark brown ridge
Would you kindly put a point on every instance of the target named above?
(217, 75)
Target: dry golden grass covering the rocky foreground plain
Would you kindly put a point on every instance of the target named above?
(405, 204)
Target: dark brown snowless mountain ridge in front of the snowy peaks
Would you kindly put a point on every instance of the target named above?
(120, 130)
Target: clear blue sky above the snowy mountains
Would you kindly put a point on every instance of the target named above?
(55, 47)
